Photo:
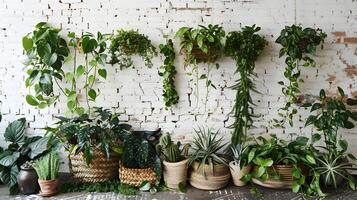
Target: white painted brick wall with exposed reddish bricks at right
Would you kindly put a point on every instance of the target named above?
(137, 92)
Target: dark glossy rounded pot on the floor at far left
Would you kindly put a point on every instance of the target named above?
(27, 180)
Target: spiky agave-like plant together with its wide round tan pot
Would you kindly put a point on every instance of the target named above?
(209, 169)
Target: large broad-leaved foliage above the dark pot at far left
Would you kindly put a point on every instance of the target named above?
(21, 149)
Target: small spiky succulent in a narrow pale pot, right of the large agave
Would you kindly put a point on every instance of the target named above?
(238, 167)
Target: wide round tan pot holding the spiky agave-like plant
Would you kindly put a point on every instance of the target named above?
(212, 181)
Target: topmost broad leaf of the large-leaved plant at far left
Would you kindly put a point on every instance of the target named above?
(15, 132)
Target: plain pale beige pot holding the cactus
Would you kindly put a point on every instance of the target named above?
(175, 173)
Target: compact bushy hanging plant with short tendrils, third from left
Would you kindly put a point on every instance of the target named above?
(125, 44)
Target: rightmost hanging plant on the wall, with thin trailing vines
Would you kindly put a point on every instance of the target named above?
(298, 45)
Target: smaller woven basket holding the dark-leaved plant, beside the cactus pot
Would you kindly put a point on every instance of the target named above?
(135, 177)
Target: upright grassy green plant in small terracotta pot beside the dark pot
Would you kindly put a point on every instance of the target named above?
(47, 168)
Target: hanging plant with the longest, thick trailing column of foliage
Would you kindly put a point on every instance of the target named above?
(244, 47)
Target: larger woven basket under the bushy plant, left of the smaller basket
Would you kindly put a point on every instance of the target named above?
(101, 169)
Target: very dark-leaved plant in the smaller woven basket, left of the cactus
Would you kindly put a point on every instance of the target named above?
(140, 163)
